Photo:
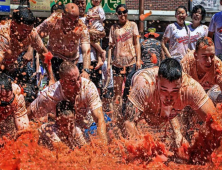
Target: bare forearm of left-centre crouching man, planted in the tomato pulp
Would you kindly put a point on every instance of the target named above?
(99, 119)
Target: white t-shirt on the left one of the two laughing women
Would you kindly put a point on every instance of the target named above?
(178, 40)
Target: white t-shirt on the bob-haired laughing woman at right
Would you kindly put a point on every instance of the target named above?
(196, 33)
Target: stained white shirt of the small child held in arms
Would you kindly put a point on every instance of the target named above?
(97, 24)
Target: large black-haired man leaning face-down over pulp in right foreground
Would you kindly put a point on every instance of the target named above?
(158, 95)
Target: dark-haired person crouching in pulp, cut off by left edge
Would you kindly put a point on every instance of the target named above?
(12, 103)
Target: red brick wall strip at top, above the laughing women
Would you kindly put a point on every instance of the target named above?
(167, 5)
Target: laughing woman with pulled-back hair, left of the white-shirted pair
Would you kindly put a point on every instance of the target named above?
(176, 34)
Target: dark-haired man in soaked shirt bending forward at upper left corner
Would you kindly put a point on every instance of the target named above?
(16, 36)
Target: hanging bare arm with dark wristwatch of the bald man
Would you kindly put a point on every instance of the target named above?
(86, 59)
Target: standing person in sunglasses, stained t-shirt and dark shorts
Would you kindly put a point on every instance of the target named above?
(124, 40)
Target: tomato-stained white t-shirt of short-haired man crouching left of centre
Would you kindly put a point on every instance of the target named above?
(86, 101)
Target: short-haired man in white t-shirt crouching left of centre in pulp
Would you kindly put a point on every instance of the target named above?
(81, 92)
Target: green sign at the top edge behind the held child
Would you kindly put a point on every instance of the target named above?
(109, 6)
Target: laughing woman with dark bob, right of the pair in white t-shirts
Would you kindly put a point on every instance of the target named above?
(196, 29)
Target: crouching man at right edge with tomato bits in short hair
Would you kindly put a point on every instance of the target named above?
(206, 68)
